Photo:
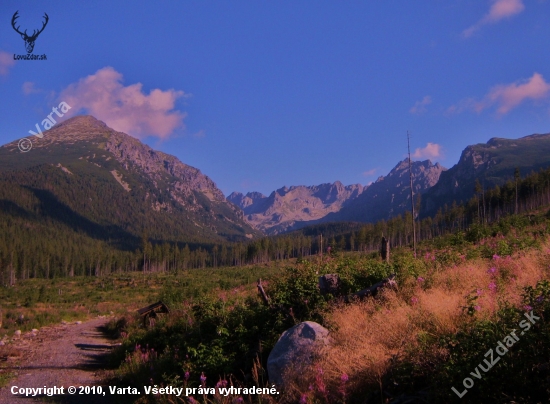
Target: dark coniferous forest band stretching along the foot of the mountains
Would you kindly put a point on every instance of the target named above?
(39, 239)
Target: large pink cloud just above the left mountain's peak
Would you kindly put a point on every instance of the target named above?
(125, 109)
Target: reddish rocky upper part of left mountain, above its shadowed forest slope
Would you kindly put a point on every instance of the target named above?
(159, 181)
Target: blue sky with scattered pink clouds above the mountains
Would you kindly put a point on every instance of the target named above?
(262, 94)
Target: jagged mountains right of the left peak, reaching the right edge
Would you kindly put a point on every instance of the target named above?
(492, 163)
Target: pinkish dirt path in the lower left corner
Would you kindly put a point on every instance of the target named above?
(66, 355)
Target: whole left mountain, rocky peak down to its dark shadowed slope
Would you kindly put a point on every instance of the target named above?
(87, 177)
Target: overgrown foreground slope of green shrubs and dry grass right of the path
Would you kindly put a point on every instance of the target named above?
(458, 298)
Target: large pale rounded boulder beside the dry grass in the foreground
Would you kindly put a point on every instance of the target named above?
(296, 346)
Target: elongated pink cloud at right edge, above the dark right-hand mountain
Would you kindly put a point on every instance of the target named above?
(507, 96)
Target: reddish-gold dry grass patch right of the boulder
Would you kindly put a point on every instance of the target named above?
(369, 336)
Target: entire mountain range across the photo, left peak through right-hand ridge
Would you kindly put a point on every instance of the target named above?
(92, 180)
